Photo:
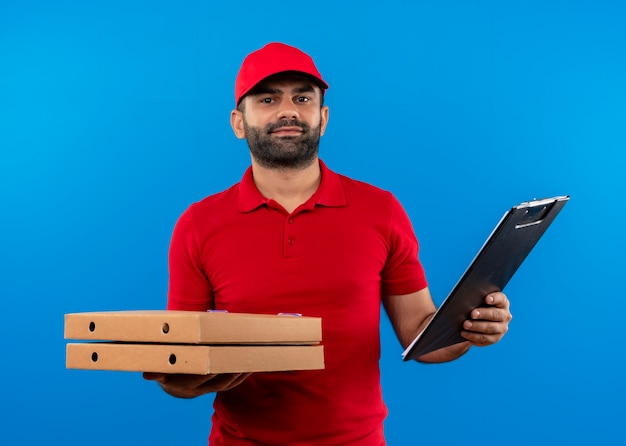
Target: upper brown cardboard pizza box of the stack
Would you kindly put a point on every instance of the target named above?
(193, 327)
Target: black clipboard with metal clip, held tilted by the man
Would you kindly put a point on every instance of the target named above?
(499, 258)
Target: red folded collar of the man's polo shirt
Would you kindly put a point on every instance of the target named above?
(329, 193)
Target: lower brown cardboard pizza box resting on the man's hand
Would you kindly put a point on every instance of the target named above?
(193, 359)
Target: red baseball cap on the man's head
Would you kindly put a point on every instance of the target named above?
(274, 58)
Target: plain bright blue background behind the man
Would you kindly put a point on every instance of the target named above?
(114, 117)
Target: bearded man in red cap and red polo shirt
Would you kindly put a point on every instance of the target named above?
(294, 236)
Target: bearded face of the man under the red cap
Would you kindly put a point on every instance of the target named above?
(282, 120)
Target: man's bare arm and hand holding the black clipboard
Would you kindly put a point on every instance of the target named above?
(410, 313)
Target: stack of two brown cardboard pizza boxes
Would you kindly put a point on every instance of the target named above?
(193, 342)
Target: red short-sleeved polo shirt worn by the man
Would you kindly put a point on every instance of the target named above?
(333, 258)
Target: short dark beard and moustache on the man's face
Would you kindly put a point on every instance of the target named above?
(285, 152)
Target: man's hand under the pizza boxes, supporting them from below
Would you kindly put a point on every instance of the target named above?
(191, 386)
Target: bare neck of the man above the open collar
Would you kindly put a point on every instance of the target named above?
(289, 187)
